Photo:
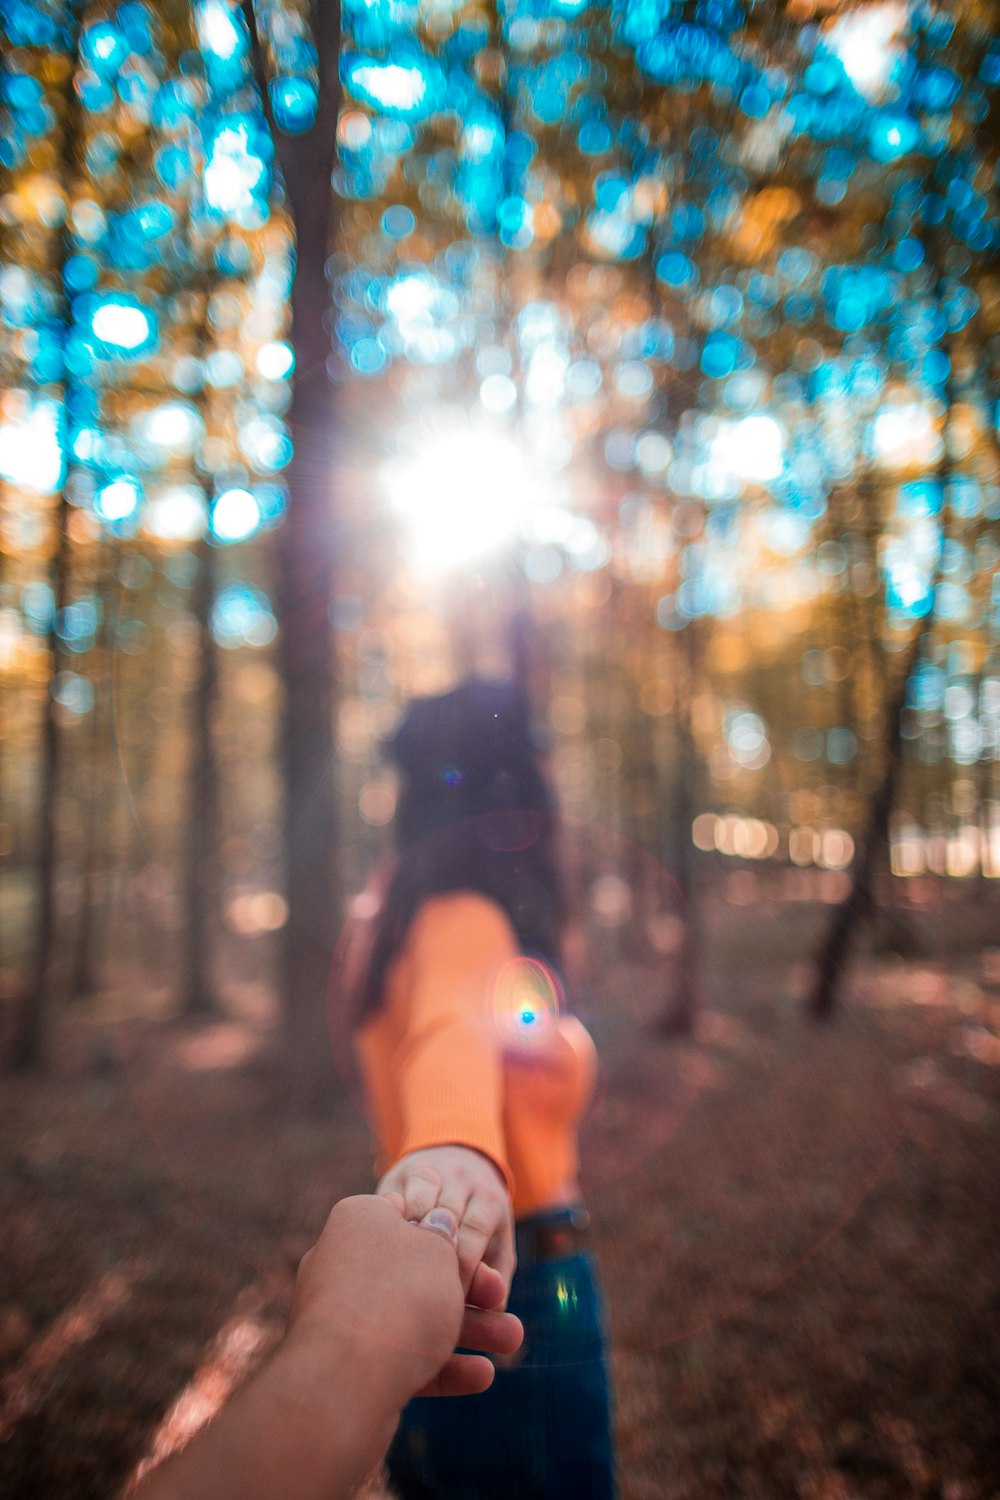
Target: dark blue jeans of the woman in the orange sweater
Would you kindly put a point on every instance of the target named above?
(543, 1430)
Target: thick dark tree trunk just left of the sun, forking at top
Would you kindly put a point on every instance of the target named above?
(305, 586)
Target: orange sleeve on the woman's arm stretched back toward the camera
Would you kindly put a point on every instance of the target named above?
(449, 1061)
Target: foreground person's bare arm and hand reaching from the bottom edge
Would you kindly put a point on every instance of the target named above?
(377, 1315)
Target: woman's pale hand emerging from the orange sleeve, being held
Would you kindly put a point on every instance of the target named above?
(473, 1189)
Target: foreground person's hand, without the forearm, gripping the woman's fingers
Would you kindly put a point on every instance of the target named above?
(385, 1295)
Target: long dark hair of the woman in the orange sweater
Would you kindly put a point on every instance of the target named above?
(475, 814)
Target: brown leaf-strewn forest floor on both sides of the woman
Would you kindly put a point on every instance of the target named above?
(800, 1226)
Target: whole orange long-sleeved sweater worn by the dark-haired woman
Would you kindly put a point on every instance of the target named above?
(469, 1049)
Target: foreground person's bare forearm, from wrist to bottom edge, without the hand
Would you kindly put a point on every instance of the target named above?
(311, 1426)
